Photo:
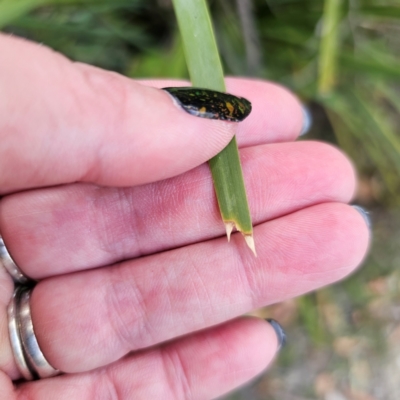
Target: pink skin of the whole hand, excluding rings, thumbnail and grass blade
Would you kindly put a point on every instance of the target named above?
(108, 204)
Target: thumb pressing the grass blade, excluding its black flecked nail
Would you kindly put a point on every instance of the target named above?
(64, 122)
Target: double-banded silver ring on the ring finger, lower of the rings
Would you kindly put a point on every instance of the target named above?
(28, 356)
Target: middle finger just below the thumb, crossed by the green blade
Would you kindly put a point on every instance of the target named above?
(77, 227)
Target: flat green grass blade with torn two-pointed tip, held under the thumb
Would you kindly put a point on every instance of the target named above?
(205, 71)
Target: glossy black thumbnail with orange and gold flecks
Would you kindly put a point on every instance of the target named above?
(205, 103)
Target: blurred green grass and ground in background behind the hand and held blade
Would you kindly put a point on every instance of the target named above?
(342, 58)
